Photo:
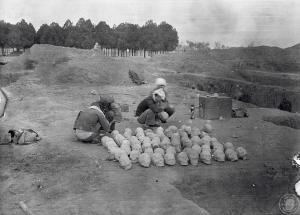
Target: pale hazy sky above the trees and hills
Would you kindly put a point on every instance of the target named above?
(231, 22)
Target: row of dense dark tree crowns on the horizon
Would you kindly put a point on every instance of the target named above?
(84, 34)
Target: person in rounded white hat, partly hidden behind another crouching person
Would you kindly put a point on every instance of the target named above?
(160, 83)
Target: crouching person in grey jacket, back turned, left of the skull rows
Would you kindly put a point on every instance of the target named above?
(97, 119)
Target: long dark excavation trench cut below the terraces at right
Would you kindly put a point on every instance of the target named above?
(260, 95)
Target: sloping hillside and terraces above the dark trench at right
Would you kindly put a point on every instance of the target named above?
(270, 66)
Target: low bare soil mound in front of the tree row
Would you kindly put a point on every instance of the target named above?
(63, 65)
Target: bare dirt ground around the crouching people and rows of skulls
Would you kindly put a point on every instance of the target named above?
(60, 175)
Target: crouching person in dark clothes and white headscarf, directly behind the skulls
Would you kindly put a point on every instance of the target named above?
(152, 110)
